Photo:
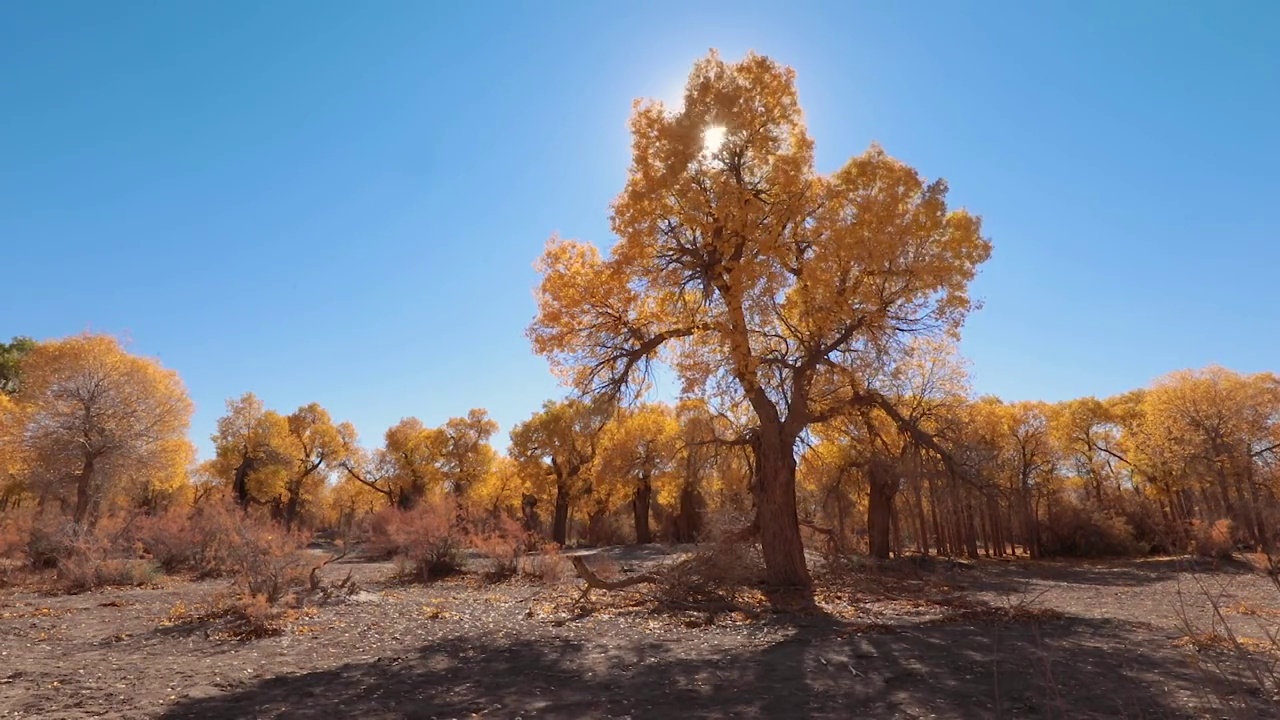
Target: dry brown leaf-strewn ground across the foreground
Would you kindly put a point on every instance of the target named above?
(982, 640)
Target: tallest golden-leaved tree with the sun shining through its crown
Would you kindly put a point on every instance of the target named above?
(753, 276)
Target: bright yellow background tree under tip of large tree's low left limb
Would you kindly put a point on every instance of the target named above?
(638, 449)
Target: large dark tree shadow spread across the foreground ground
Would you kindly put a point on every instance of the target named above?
(1058, 669)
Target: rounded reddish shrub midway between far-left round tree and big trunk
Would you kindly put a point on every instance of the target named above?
(427, 543)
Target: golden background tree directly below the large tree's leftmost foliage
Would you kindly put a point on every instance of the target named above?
(557, 446)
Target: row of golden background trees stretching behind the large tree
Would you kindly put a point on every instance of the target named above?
(1185, 466)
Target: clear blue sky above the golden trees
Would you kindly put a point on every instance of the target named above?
(342, 202)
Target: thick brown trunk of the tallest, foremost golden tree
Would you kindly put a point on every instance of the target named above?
(776, 512)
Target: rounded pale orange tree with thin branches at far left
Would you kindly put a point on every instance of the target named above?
(98, 420)
